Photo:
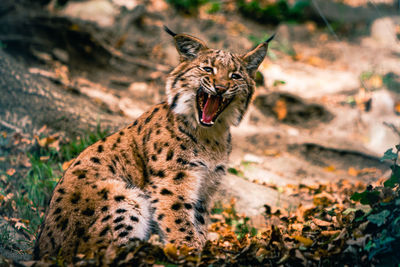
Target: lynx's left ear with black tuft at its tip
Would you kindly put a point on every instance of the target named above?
(187, 46)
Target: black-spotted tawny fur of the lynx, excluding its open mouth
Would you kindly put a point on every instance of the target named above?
(157, 175)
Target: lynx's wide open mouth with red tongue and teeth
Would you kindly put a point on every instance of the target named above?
(210, 106)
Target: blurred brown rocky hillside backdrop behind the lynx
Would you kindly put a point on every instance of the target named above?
(326, 108)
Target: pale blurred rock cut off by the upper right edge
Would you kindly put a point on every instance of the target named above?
(384, 31)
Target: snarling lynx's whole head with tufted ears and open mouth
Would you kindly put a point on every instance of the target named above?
(212, 87)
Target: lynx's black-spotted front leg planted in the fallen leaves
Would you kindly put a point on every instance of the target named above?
(174, 211)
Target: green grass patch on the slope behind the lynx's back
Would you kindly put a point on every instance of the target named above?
(34, 189)
